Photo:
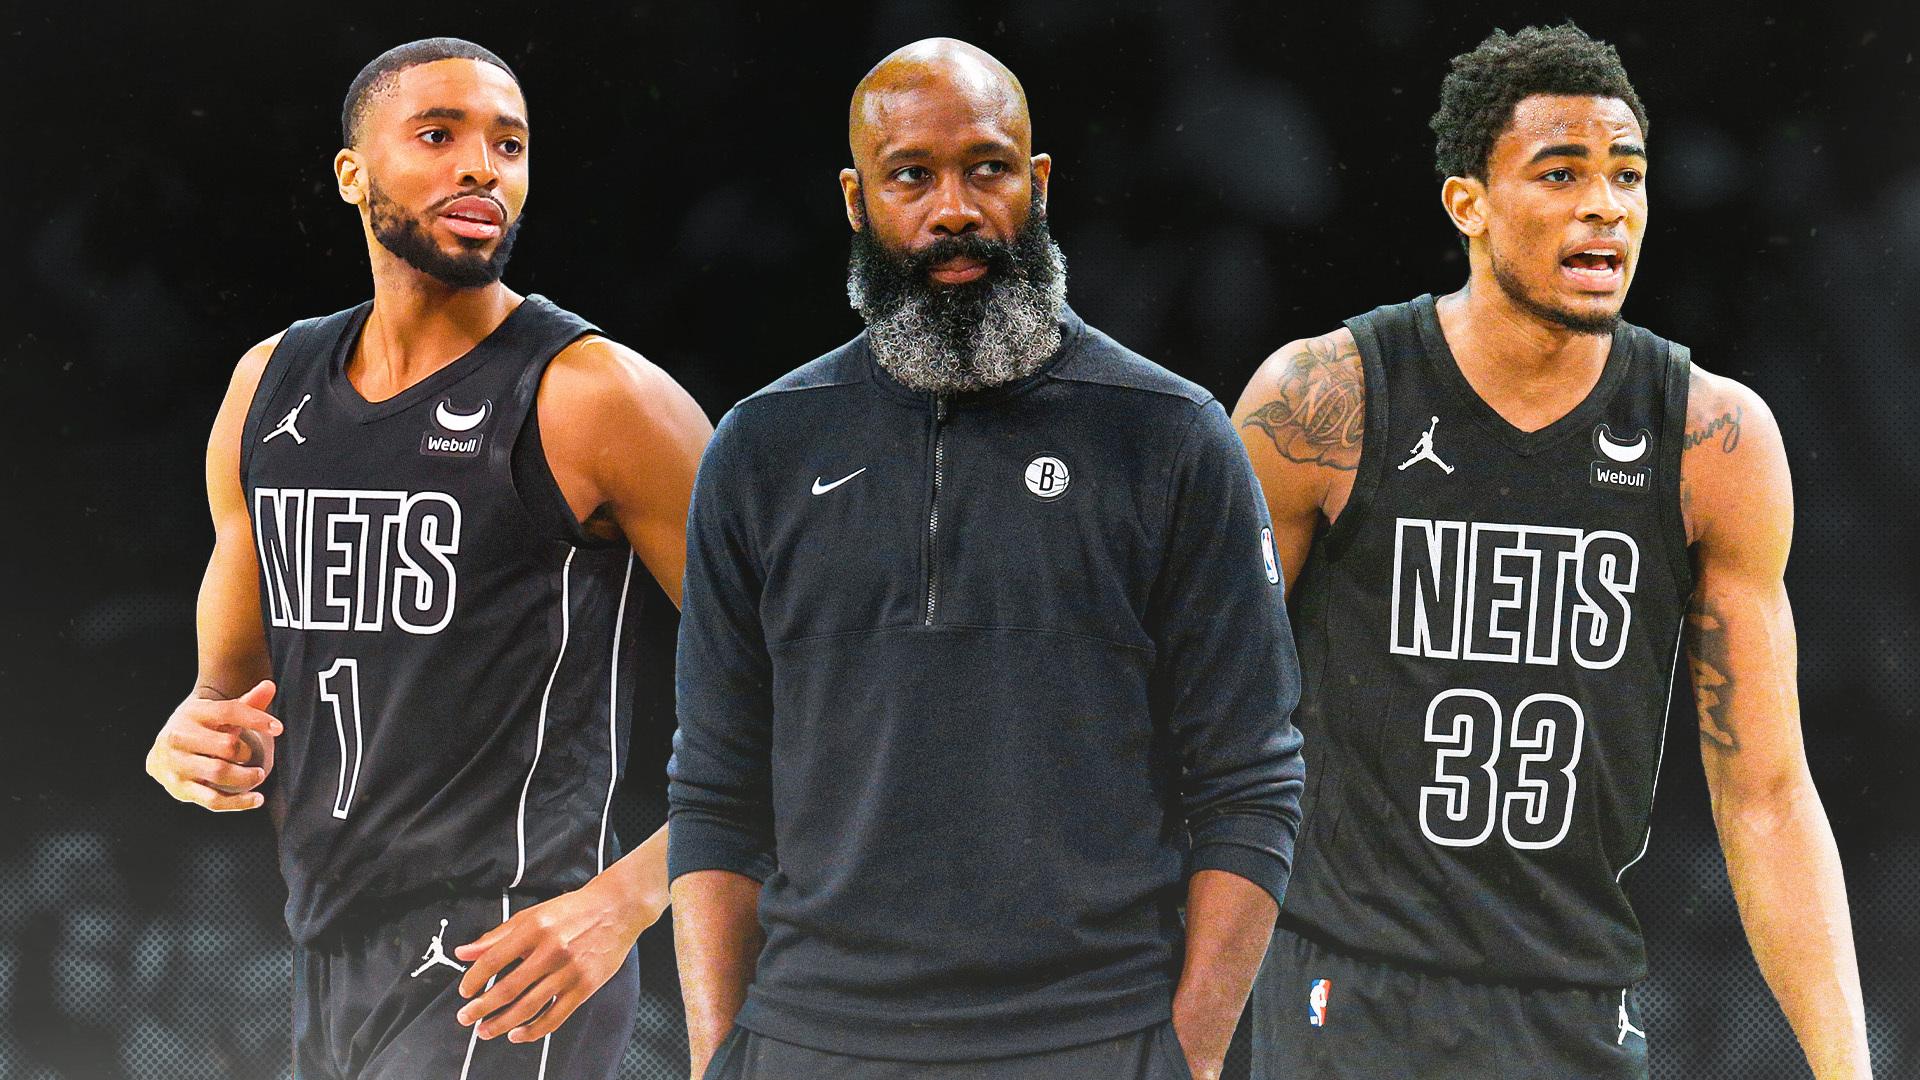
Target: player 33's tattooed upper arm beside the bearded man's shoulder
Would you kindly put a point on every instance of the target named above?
(1303, 420)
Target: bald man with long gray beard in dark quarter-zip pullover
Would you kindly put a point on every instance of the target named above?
(944, 652)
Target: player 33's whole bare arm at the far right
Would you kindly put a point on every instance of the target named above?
(1740, 650)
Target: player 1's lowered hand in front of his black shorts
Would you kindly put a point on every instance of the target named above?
(560, 952)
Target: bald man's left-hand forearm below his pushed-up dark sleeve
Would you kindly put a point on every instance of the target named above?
(717, 943)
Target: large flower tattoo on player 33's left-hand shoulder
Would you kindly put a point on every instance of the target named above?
(1320, 414)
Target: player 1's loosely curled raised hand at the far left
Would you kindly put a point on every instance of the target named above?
(216, 752)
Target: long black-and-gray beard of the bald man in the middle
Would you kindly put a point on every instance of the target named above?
(990, 331)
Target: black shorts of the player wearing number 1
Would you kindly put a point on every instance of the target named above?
(373, 1006)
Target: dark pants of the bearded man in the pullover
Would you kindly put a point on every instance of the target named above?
(1151, 1054)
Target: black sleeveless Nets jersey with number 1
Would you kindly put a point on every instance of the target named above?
(446, 641)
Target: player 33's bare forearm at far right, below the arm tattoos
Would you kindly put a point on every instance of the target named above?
(1792, 898)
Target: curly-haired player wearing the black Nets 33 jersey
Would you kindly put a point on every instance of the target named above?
(1497, 512)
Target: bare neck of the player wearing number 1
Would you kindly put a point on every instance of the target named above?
(420, 326)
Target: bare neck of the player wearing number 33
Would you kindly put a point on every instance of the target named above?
(1529, 370)
